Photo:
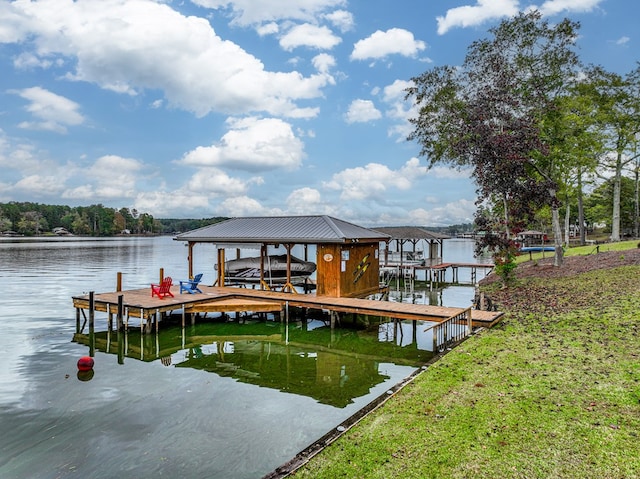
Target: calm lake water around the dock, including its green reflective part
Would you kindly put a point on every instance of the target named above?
(214, 400)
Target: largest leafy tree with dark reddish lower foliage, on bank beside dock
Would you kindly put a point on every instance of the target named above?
(499, 114)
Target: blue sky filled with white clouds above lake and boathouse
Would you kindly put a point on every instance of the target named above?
(202, 108)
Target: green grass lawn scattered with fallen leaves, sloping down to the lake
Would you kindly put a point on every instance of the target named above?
(552, 392)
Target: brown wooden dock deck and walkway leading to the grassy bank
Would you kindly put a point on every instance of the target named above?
(139, 303)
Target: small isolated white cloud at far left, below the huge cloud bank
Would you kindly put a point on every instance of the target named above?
(54, 112)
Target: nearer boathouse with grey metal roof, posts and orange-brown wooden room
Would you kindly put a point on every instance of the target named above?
(347, 255)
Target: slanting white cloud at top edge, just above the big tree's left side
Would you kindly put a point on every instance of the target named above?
(483, 11)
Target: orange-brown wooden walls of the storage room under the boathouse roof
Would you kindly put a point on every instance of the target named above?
(347, 270)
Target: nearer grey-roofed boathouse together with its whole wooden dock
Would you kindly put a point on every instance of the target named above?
(348, 268)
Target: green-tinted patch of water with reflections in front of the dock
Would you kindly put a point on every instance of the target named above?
(308, 358)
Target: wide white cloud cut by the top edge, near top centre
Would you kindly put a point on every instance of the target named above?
(252, 12)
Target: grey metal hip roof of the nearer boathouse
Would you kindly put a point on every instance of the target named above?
(283, 229)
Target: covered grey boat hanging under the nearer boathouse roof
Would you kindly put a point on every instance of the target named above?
(275, 268)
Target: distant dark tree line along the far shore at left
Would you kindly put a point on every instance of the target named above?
(35, 219)
